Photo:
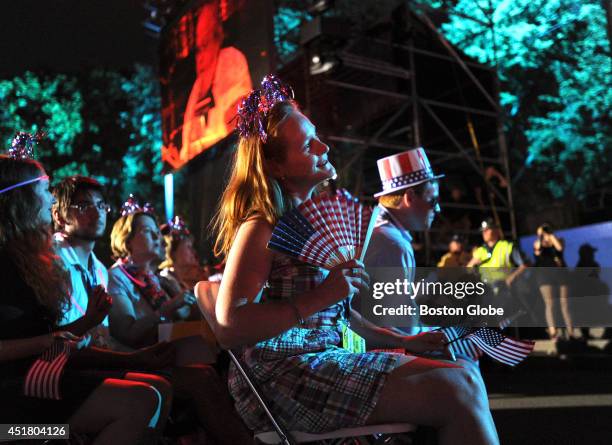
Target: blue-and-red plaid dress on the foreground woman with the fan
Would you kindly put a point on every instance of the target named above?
(311, 383)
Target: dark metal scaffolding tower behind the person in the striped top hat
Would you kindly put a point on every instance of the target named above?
(397, 88)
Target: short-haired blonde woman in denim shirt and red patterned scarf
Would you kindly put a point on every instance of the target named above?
(140, 305)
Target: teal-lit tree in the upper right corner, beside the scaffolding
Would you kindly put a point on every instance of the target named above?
(553, 60)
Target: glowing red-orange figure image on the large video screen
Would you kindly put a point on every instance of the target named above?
(207, 65)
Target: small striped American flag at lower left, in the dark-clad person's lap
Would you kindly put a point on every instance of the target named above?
(43, 377)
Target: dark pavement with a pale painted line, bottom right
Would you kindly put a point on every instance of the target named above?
(553, 399)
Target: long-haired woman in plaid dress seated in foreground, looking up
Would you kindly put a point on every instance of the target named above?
(292, 344)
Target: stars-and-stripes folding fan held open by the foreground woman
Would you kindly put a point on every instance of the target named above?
(326, 230)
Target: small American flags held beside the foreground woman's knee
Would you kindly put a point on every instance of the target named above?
(496, 345)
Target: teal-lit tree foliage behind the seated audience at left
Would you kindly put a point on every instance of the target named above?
(105, 124)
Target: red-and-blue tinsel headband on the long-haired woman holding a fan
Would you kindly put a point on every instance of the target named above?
(254, 109)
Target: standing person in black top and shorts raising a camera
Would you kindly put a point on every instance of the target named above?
(551, 279)
